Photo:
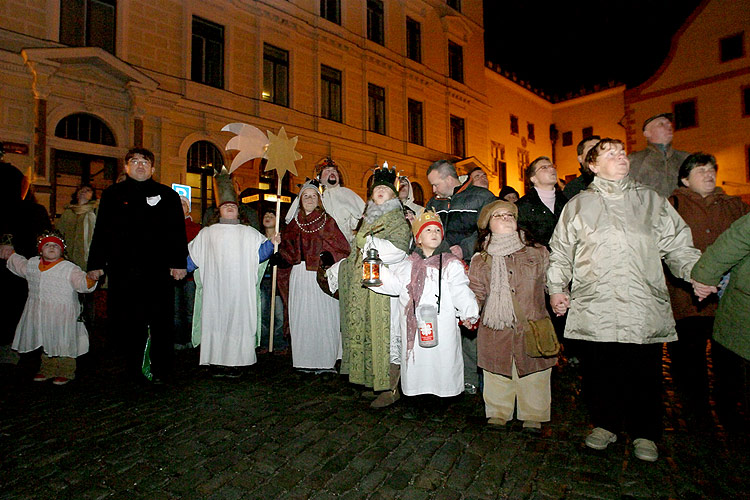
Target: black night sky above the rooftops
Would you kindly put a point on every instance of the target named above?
(562, 46)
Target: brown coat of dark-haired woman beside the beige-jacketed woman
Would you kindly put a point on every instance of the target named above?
(707, 217)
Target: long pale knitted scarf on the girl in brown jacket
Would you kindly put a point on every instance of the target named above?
(498, 309)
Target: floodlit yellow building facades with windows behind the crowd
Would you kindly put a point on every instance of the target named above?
(362, 81)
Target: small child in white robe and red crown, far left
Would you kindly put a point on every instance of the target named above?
(50, 316)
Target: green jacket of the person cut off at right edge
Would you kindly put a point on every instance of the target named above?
(730, 252)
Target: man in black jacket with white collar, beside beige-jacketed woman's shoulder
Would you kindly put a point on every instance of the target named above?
(540, 207)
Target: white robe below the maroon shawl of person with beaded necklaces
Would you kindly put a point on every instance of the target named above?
(313, 322)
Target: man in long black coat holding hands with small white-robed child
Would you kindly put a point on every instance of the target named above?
(139, 241)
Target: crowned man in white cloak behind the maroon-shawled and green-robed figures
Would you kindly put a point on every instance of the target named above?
(343, 204)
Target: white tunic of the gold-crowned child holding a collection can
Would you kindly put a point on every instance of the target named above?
(436, 370)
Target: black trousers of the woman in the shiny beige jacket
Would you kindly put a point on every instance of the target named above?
(623, 383)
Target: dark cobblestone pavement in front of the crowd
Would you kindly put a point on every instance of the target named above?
(276, 433)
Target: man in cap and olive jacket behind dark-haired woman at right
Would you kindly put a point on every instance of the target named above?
(658, 165)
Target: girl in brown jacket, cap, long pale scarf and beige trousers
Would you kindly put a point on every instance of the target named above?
(507, 270)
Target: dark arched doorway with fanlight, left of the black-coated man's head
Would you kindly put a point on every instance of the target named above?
(73, 168)
